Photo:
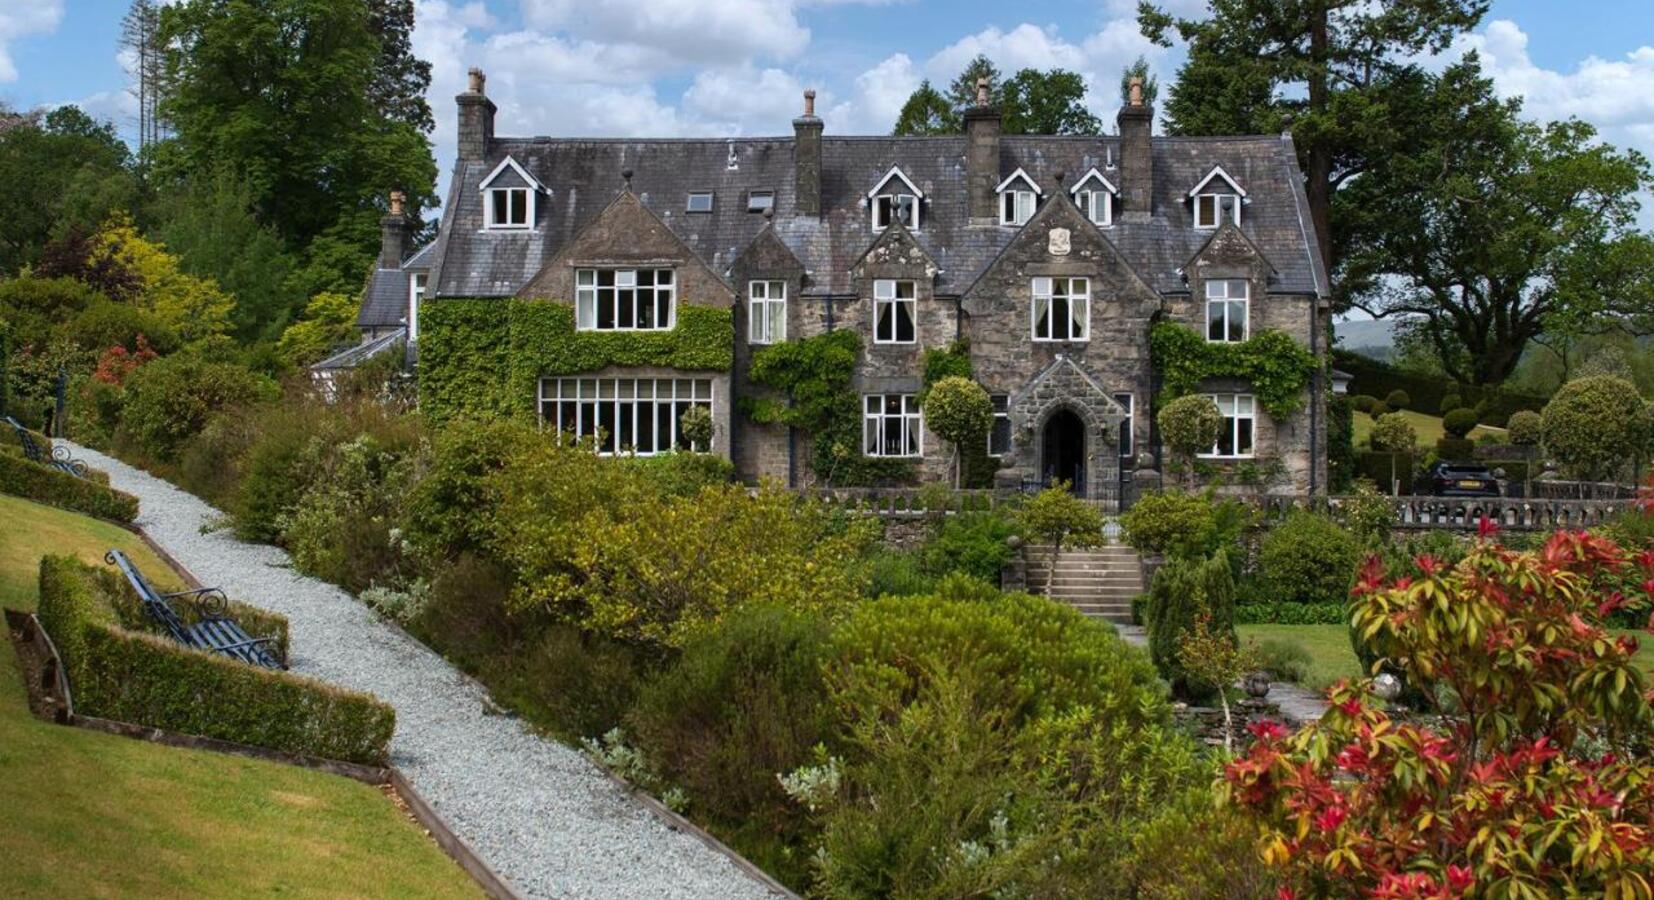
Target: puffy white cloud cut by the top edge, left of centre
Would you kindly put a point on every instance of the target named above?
(682, 31)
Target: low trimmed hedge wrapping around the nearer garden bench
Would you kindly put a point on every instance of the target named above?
(130, 676)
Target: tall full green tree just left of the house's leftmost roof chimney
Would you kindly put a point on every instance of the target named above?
(315, 103)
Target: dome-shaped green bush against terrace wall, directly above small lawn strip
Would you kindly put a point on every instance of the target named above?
(1307, 560)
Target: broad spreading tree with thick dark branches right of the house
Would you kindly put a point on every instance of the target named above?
(1493, 229)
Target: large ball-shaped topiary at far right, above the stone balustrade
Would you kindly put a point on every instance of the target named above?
(1592, 426)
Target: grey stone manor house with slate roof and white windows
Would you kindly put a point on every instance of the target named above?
(1051, 256)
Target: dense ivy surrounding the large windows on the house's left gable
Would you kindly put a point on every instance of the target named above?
(487, 357)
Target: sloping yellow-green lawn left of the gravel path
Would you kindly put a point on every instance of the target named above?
(90, 815)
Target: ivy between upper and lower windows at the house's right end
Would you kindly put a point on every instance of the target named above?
(1271, 361)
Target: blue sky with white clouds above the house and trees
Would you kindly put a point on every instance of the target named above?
(739, 67)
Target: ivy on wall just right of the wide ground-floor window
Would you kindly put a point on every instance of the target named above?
(815, 380)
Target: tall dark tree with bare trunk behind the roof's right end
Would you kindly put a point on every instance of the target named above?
(1324, 67)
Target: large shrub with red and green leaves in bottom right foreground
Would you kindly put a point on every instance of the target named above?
(1542, 782)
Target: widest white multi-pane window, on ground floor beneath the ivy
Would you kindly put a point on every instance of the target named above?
(624, 416)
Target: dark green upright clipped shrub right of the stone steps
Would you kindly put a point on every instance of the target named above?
(1182, 593)
